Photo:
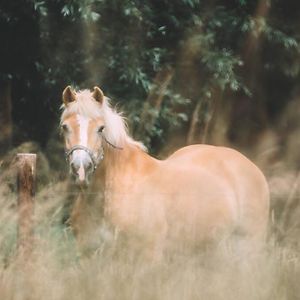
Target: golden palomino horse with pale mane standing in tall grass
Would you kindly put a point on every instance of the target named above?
(200, 193)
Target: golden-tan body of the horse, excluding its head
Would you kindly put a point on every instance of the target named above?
(200, 193)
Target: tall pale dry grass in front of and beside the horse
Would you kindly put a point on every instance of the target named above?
(56, 271)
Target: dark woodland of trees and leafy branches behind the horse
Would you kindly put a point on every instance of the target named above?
(183, 71)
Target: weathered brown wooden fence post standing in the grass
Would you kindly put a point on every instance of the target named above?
(26, 191)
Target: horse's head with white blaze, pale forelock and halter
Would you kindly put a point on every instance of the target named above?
(83, 128)
